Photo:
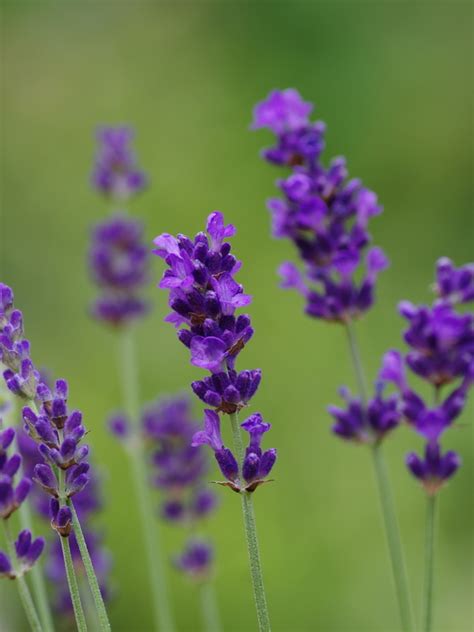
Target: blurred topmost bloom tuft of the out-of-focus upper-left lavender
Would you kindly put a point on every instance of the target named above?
(115, 172)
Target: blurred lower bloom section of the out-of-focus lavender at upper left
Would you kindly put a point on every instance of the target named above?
(119, 261)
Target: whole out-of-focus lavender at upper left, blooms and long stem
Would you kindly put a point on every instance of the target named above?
(118, 261)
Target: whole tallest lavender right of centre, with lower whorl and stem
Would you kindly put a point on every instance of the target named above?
(326, 217)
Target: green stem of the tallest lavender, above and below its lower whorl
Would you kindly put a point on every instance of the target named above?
(387, 504)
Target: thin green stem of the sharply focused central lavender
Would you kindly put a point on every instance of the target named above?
(252, 540)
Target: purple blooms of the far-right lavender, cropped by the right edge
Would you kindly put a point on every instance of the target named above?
(441, 342)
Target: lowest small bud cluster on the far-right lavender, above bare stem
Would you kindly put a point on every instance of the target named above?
(435, 469)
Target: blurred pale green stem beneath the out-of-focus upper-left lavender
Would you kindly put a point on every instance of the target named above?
(154, 558)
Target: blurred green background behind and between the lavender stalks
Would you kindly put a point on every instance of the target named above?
(393, 81)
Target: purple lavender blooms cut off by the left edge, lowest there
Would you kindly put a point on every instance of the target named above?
(27, 550)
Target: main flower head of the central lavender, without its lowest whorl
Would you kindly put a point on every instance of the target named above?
(204, 297)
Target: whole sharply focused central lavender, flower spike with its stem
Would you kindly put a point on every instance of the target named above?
(204, 296)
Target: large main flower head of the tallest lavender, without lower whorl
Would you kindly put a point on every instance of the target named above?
(323, 213)
